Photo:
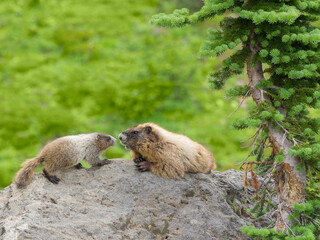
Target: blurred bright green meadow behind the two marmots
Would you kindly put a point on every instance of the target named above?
(78, 66)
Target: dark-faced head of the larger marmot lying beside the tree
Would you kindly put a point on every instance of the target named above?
(135, 137)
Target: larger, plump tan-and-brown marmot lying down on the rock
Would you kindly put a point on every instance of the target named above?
(164, 153)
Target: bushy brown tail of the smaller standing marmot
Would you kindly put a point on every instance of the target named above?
(24, 176)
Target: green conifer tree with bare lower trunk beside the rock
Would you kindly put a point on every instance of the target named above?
(277, 44)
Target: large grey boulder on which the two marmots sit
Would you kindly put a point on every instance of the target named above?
(118, 202)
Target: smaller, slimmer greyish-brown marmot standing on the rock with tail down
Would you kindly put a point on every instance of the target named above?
(66, 152)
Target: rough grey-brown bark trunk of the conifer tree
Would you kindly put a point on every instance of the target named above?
(289, 183)
